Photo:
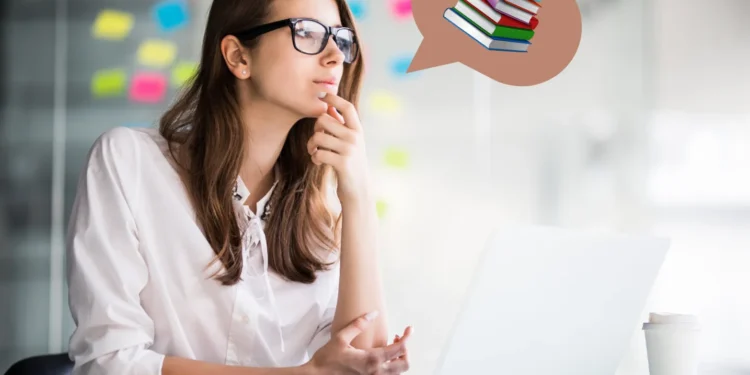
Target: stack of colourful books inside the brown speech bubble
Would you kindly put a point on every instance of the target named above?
(498, 25)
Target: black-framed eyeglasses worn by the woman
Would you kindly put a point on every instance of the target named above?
(310, 36)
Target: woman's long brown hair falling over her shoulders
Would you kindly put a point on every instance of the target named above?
(205, 120)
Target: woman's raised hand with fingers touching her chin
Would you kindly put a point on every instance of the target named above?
(339, 142)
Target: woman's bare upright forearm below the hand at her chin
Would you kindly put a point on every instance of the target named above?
(360, 285)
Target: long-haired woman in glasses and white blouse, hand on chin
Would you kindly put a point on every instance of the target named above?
(212, 245)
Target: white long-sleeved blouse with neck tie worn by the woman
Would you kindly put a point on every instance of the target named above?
(139, 288)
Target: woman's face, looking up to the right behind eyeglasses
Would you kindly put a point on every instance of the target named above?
(291, 79)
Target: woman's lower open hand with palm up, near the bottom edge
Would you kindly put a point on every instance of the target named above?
(338, 357)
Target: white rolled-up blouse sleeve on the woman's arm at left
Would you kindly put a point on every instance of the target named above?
(106, 271)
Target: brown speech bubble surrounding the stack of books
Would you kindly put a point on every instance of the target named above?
(553, 45)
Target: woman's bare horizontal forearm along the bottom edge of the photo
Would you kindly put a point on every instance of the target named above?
(183, 366)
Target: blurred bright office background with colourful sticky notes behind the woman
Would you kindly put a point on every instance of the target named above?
(647, 130)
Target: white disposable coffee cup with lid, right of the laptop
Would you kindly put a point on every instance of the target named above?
(672, 344)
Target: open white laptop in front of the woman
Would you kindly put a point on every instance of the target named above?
(553, 301)
